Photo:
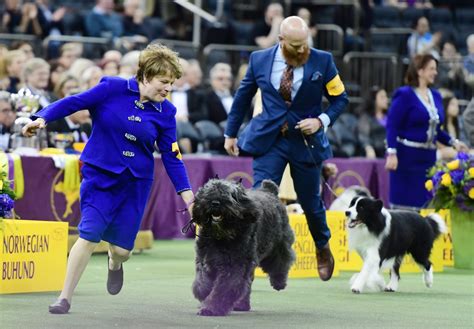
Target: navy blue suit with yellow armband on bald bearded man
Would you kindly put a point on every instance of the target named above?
(262, 138)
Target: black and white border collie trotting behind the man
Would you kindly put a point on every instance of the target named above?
(383, 237)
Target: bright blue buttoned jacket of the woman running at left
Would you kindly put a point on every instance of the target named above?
(124, 130)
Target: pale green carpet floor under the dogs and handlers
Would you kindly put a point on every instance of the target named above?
(157, 294)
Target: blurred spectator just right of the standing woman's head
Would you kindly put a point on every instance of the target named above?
(450, 71)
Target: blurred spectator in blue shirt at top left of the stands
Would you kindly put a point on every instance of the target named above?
(102, 21)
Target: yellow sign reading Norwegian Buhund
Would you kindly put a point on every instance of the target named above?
(33, 255)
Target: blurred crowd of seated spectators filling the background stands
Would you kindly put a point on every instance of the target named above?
(203, 96)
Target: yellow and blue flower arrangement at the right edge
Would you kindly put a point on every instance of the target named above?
(452, 183)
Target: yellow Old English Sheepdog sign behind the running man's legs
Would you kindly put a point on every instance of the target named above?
(305, 265)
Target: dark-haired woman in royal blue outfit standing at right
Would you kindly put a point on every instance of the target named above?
(413, 128)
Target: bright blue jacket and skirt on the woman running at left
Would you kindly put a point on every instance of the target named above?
(118, 158)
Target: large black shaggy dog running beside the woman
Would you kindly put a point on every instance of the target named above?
(239, 229)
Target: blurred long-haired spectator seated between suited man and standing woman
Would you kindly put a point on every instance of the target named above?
(372, 122)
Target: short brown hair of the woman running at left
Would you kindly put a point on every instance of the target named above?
(158, 60)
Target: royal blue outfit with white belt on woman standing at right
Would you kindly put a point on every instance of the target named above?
(413, 128)
